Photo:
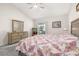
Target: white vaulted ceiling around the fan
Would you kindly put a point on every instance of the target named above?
(51, 9)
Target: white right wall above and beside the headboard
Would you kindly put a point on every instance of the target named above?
(73, 15)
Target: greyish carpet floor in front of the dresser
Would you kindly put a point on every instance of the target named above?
(8, 50)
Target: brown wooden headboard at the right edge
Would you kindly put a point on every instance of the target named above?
(75, 27)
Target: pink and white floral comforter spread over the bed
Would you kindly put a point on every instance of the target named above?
(47, 45)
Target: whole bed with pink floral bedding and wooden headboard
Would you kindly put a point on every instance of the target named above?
(51, 44)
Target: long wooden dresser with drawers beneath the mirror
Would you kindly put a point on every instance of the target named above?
(14, 37)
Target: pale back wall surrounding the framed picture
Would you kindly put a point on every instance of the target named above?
(48, 20)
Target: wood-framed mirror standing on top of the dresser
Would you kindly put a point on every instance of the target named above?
(17, 26)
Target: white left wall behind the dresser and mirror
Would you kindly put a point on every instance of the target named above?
(9, 12)
